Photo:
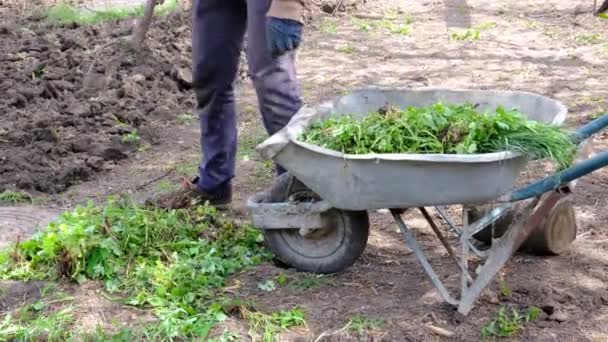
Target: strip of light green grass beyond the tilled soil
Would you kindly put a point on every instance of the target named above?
(66, 14)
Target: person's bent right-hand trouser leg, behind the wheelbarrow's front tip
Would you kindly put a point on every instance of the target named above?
(274, 79)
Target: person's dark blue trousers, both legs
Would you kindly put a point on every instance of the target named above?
(217, 37)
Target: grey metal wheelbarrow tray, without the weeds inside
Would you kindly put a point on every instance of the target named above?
(377, 181)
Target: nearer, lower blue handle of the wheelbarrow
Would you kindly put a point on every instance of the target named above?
(557, 180)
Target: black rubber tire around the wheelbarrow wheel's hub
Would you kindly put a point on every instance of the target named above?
(354, 241)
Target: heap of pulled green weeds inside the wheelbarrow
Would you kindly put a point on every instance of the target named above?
(446, 129)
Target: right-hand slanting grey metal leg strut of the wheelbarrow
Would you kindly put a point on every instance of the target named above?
(504, 247)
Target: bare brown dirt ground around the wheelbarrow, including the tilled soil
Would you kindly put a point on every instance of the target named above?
(555, 48)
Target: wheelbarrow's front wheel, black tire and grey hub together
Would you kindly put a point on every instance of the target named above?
(327, 250)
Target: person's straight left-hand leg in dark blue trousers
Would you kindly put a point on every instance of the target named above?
(217, 36)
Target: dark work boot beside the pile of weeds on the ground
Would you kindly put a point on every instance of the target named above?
(190, 195)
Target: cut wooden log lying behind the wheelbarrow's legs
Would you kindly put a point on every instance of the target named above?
(553, 236)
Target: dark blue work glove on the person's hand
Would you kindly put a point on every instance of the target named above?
(282, 35)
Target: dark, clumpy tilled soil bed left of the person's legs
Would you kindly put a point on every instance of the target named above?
(78, 100)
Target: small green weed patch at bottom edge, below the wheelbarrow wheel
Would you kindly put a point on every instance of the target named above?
(268, 326)
